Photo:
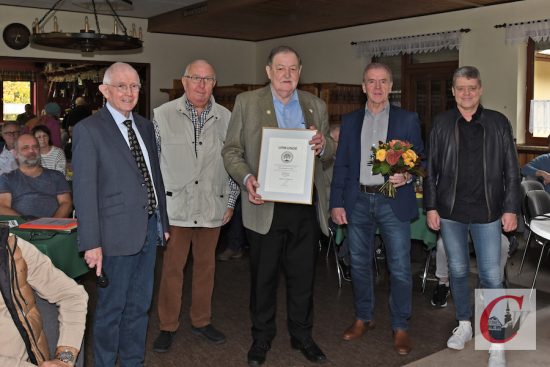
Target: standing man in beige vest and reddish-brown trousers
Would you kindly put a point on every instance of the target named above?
(200, 197)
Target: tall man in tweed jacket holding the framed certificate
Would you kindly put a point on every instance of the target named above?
(283, 232)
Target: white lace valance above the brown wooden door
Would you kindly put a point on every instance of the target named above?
(409, 44)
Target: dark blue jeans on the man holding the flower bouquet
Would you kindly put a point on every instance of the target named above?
(372, 211)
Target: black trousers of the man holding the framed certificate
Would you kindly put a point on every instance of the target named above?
(291, 243)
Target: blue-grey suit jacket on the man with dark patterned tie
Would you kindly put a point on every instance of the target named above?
(110, 196)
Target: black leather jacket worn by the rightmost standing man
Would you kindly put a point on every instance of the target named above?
(500, 164)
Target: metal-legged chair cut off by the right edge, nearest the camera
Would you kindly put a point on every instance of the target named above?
(538, 207)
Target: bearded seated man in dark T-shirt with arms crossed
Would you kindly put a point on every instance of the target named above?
(32, 190)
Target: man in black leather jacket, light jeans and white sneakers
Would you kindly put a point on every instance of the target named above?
(472, 187)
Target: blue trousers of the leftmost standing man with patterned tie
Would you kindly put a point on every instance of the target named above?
(120, 324)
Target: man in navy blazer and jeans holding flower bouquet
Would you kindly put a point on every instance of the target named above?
(355, 200)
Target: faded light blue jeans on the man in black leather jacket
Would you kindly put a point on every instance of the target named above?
(486, 239)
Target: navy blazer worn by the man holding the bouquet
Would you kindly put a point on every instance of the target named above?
(403, 125)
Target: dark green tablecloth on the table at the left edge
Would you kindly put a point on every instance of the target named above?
(60, 247)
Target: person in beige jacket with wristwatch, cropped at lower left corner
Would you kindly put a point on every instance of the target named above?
(23, 341)
